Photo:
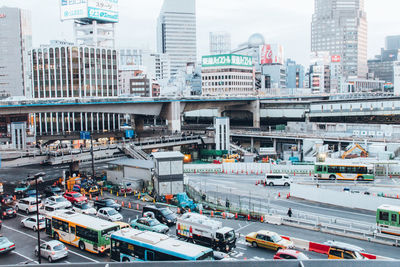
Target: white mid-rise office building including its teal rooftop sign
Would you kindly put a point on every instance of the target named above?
(226, 75)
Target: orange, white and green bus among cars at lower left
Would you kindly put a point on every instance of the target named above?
(80, 230)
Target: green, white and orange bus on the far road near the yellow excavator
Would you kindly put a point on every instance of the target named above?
(343, 172)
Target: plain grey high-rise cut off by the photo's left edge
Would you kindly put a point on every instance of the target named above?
(15, 42)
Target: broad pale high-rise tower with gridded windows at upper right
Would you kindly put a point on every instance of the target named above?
(340, 28)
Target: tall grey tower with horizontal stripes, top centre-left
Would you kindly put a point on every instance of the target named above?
(176, 33)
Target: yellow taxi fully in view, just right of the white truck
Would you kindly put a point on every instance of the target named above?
(269, 240)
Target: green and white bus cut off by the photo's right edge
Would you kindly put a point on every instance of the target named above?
(388, 219)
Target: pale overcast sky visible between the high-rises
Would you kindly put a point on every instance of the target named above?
(280, 21)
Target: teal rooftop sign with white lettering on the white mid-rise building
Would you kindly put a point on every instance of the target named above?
(227, 60)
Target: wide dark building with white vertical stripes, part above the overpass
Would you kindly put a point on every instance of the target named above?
(74, 71)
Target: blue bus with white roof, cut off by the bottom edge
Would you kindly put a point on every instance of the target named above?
(129, 245)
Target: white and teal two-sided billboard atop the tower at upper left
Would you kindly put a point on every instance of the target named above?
(101, 10)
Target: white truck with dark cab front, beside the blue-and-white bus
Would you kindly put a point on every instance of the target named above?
(204, 231)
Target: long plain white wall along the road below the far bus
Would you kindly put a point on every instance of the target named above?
(339, 198)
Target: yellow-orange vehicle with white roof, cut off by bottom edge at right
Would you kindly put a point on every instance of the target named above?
(340, 251)
